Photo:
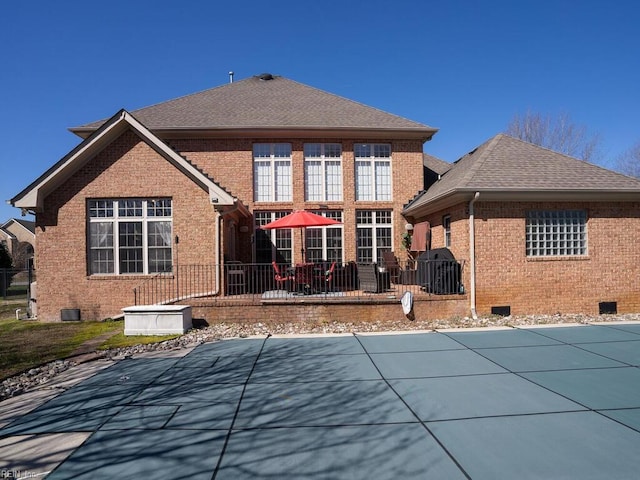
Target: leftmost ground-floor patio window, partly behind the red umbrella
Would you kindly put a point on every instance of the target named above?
(272, 245)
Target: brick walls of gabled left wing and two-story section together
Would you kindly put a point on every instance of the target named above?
(128, 168)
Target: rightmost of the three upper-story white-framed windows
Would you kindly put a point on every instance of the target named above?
(373, 171)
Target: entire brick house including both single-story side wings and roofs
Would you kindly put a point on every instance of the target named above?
(190, 182)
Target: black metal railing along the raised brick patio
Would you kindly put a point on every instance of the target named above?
(319, 280)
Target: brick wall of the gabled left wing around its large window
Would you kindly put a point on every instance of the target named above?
(127, 168)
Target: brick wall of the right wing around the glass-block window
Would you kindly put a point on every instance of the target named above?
(506, 276)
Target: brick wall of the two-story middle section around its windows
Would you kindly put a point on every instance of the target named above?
(230, 163)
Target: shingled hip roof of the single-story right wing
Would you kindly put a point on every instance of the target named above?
(505, 168)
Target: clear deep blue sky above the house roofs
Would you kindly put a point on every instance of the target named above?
(466, 67)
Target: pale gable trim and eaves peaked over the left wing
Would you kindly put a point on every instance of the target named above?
(32, 197)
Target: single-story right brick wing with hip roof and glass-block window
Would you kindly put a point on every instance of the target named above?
(543, 232)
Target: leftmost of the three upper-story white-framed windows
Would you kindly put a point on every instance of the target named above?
(272, 172)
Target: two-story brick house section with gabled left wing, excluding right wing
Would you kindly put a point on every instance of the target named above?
(191, 180)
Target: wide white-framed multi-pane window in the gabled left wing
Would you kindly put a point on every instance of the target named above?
(130, 236)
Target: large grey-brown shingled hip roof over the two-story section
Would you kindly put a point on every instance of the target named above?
(267, 102)
